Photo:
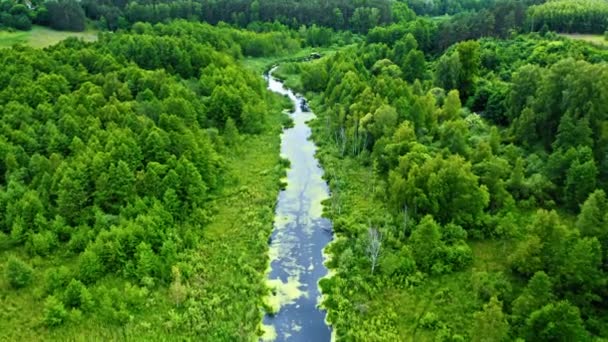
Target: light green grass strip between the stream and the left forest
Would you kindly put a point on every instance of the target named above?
(233, 256)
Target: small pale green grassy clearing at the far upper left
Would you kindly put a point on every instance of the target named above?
(40, 37)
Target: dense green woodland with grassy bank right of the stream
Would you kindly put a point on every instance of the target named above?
(484, 173)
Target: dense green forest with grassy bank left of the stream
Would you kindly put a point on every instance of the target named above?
(115, 156)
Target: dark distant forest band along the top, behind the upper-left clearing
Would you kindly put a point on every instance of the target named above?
(360, 15)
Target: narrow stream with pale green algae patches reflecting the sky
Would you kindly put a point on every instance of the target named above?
(299, 236)
